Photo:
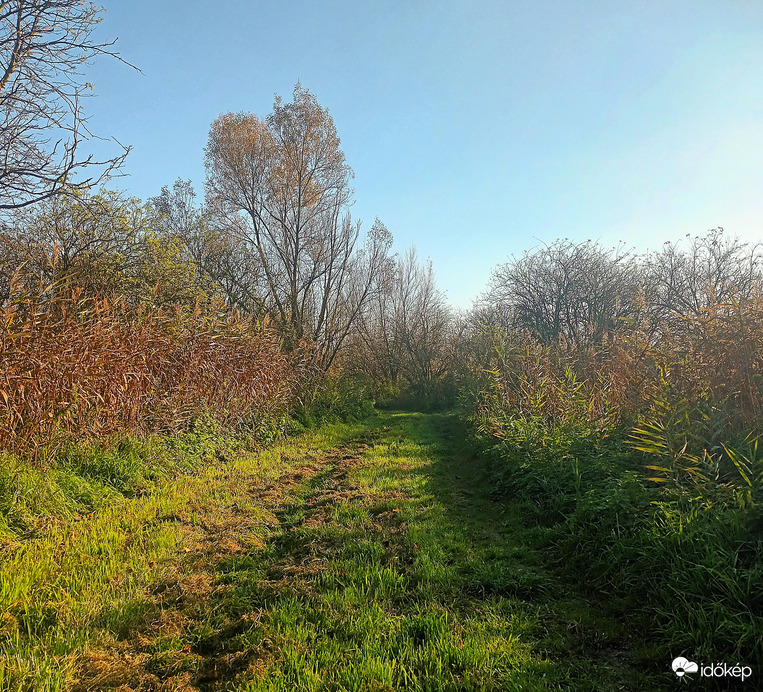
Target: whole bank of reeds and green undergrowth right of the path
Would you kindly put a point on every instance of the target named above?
(639, 461)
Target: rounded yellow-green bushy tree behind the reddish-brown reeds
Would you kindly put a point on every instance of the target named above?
(98, 244)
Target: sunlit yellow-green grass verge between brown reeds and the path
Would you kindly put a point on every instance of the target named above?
(73, 580)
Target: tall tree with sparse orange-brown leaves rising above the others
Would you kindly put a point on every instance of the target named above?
(284, 185)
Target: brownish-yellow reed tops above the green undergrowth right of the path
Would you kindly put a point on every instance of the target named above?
(706, 367)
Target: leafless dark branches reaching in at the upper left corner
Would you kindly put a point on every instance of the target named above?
(44, 46)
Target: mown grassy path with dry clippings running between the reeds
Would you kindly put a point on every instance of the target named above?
(371, 559)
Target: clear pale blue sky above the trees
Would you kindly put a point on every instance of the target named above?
(477, 128)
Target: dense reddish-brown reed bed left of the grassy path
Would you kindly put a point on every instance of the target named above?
(90, 367)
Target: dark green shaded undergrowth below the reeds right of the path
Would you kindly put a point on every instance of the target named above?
(666, 556)
